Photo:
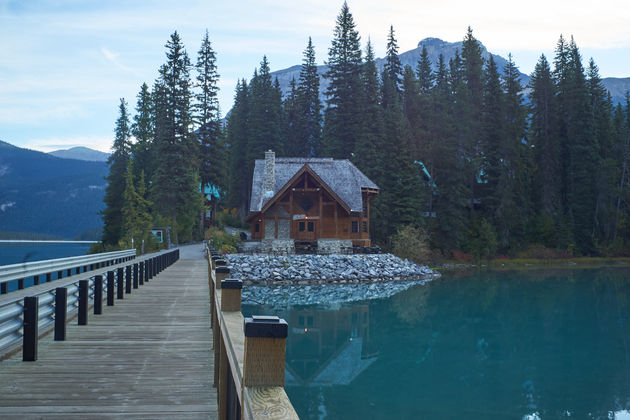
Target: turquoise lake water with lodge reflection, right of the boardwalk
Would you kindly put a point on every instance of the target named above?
(510, 345)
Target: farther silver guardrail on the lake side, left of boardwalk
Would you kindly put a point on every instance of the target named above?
(45, 269)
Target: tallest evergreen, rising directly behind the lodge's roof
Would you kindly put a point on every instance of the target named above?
(343, 115)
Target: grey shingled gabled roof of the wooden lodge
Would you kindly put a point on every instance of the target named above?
(341, 176)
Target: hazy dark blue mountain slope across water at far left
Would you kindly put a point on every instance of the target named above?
(44, 194)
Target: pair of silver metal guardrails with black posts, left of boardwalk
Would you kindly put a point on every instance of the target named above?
(28, 314)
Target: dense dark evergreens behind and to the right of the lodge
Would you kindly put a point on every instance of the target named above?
(504, 175)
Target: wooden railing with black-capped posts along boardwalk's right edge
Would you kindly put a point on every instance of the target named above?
(249, 353)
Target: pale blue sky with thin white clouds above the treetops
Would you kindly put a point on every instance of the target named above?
(64, 64)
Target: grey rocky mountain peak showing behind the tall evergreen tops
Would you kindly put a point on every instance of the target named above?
(435, 46)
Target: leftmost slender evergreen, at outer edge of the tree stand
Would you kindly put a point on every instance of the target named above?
(117, 161)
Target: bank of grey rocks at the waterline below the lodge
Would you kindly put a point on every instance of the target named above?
(321, 269)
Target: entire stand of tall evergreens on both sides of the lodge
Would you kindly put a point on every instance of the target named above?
(461, 151)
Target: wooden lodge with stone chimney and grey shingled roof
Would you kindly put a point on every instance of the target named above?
(316, 201)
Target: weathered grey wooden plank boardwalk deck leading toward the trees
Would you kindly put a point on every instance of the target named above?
(148, 356)
